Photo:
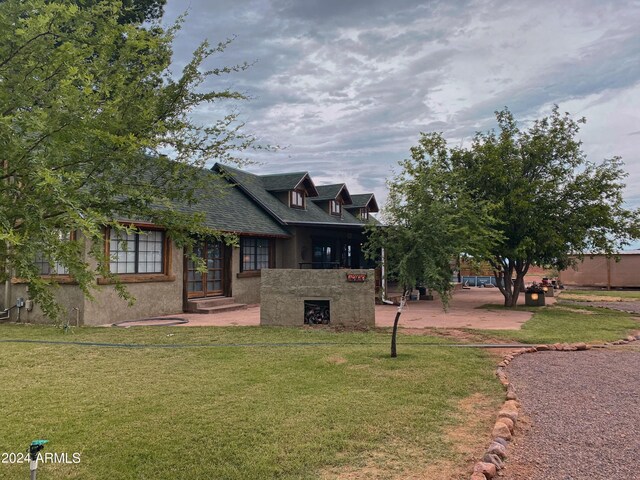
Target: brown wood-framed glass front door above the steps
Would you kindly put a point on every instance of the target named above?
(211, 282)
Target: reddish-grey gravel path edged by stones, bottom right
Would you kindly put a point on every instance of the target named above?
(584, 409)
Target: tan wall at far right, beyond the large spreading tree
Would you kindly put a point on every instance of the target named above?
(598, 271)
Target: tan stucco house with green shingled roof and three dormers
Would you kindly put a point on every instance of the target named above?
(281, 220)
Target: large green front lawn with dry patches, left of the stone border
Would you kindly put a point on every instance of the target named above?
(287, 412)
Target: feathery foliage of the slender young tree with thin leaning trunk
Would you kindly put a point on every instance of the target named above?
(430, 219)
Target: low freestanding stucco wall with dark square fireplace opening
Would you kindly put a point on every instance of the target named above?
(283, 292)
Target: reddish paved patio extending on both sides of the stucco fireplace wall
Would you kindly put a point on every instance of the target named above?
(463, 312)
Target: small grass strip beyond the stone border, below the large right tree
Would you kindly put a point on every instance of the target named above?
(560, 324)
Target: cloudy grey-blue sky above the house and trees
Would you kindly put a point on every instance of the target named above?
(347, 85)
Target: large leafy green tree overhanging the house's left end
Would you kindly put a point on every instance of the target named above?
(87, 108)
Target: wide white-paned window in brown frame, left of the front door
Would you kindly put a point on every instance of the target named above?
(140, 252)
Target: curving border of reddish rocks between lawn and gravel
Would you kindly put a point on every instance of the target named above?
(496, 454)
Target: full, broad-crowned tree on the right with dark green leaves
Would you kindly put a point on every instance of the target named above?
(552, 203)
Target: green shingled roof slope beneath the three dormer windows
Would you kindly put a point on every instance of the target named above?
(254, 187)
